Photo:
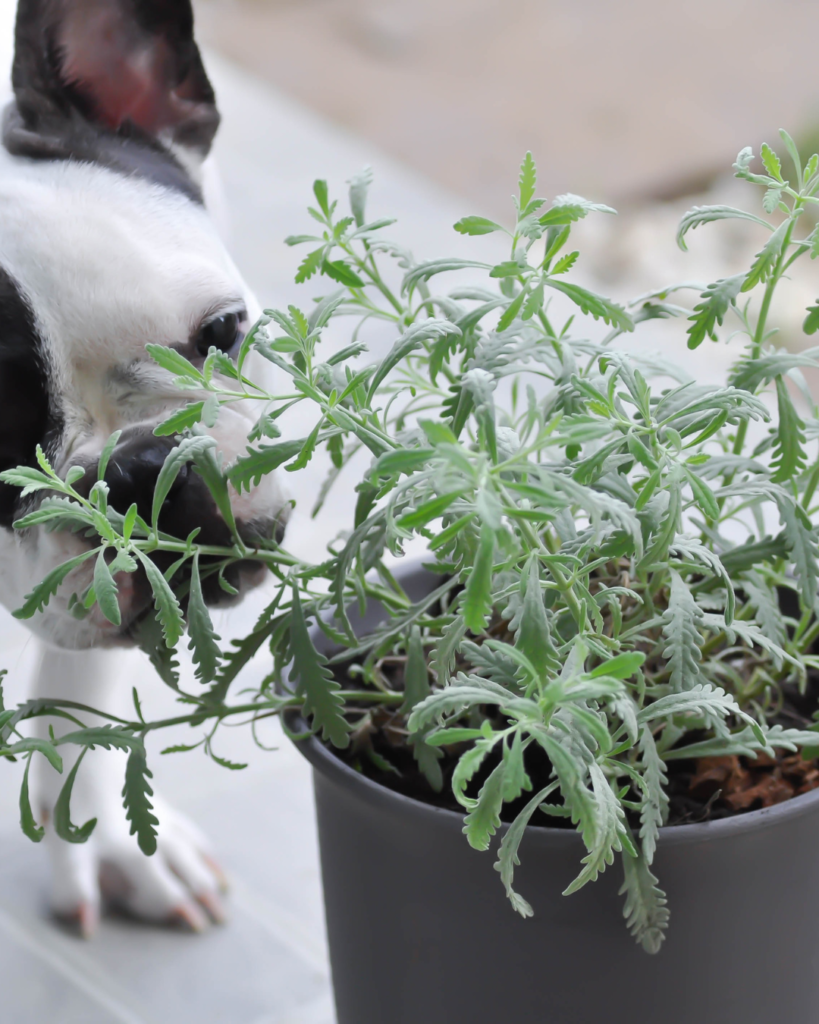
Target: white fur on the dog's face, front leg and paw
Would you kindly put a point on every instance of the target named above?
(110, 264)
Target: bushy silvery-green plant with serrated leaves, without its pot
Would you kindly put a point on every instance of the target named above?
(612, 542)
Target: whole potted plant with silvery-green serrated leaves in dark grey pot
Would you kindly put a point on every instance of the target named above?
(604, 669)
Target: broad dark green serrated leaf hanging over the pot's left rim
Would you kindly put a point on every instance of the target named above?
(316, 682)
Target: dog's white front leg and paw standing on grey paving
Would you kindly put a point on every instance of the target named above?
(181, 883)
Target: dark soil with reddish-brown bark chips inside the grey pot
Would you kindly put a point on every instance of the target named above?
(703, 790)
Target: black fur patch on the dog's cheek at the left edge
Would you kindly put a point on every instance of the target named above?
(27, 417)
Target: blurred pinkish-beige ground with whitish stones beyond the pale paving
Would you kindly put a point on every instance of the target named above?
(638, 104)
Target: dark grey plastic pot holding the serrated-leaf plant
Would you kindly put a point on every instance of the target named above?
(421, 932)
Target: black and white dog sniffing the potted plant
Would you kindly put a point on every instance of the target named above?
(106, 245)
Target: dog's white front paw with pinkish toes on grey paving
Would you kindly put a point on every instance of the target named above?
(181, 885)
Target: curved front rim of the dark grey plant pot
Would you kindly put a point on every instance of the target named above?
(382, 798)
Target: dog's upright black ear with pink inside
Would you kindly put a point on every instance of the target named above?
(127, 68)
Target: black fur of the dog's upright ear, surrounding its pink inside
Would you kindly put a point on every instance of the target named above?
(57, 118)
